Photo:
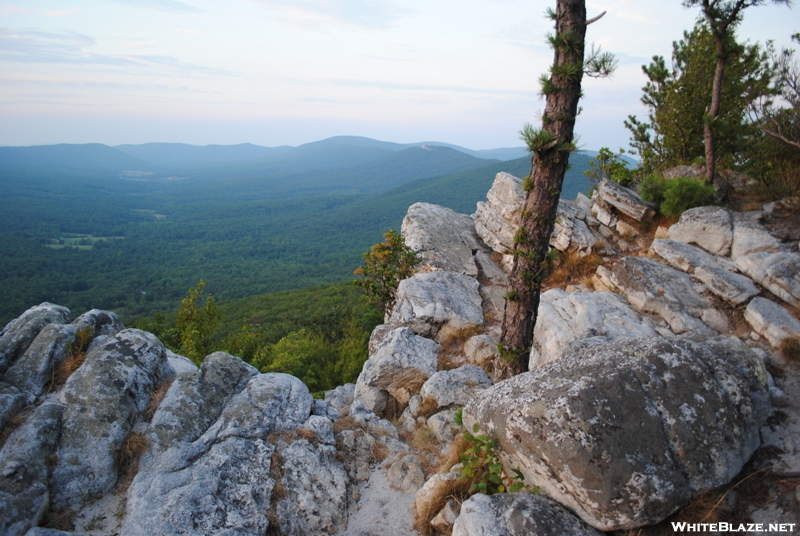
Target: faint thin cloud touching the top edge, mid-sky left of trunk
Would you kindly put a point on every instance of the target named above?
(363, 13)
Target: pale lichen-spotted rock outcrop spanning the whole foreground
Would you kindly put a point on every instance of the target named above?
(643, 393)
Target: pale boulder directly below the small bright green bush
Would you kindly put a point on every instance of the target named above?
(711, 228)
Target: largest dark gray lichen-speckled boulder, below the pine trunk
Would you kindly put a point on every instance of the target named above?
(627, 432)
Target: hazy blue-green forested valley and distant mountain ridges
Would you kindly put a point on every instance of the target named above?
(151, 231)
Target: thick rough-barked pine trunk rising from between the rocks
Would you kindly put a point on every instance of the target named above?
(543, 188)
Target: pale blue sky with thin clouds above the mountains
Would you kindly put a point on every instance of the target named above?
(288, 72)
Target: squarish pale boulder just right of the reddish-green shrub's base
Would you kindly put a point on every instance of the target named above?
(430, 302)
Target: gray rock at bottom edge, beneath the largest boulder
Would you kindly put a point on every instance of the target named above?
(517, 514)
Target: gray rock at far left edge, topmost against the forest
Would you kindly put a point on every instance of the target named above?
(20, 332)
